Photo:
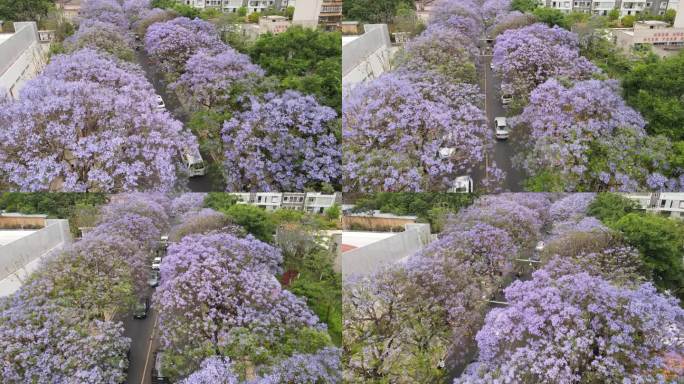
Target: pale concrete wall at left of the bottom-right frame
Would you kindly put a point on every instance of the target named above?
(375, 256)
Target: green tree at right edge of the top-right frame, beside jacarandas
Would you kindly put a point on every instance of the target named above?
(656, 89)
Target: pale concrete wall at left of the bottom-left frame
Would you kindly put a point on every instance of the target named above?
(17, 254)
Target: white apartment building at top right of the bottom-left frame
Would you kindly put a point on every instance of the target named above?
(313, 202)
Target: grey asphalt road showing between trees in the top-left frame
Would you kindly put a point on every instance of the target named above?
(198, 183)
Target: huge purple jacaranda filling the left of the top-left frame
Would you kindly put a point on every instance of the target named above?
(88, 124)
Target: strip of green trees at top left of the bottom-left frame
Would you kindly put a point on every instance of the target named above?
(56, 205)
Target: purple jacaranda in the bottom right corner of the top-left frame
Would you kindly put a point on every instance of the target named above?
(286, 143)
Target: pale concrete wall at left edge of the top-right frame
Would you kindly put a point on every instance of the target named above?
(367, 57)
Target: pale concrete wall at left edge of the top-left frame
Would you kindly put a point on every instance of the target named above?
(21, 57)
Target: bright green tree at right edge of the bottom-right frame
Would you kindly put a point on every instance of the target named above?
(661, 243)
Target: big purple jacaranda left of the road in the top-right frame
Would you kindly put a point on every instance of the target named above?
(397, 127)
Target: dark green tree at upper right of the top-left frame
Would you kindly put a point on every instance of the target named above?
(304, 59)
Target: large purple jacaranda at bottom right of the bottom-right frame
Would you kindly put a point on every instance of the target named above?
(575, 328)
